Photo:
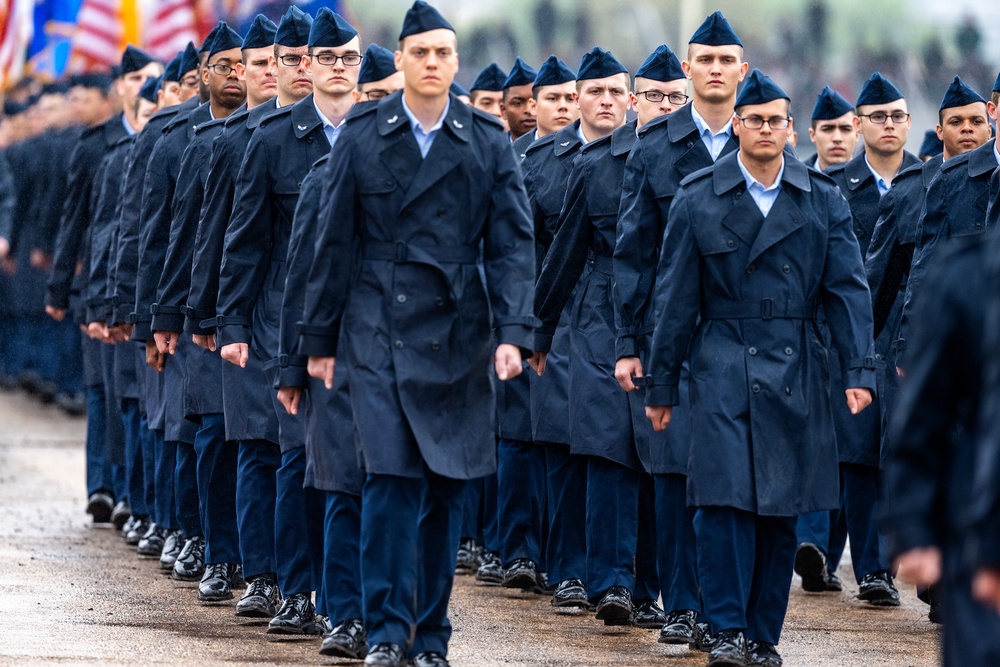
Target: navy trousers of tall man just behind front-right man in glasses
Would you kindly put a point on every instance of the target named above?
(676, 548)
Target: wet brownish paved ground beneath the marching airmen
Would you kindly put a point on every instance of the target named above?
(73, 594)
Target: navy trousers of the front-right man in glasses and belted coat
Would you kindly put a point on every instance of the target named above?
(745, 566)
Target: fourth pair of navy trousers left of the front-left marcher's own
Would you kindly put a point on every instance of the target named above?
(217, 463)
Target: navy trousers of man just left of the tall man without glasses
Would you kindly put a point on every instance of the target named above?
(612, 526)
